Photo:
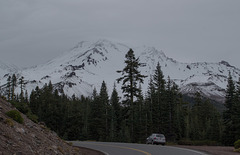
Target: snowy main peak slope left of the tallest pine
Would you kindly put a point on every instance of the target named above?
(81, 69)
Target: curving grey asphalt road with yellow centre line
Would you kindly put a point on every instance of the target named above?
(135, 149)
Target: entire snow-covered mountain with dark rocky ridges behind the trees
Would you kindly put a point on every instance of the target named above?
(84, 67)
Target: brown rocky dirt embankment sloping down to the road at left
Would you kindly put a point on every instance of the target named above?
(30, 138)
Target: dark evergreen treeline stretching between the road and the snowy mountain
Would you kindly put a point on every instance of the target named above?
(104, 117)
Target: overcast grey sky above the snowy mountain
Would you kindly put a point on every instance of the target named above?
(35, 31)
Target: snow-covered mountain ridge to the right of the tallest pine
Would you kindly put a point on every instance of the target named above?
(208, 78)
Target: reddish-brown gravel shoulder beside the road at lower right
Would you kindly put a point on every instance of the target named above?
(212, 150)
